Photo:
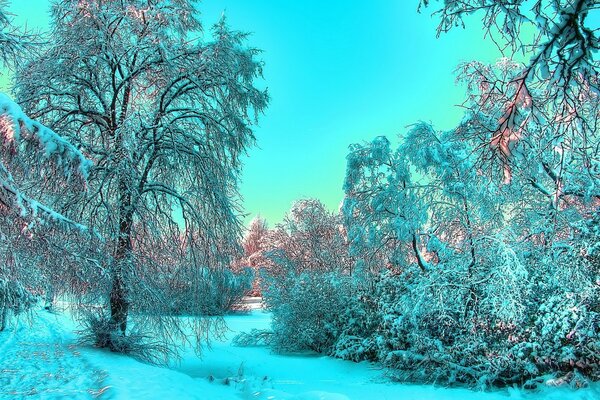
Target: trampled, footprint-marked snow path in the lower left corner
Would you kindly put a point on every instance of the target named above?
(39, 359)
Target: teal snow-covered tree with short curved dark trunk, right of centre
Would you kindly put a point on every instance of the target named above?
(379, 215)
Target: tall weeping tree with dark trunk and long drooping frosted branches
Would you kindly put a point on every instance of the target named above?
(165, 117)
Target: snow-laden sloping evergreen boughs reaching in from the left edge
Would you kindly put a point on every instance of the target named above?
(36, 167)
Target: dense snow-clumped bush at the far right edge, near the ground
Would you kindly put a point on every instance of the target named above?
(563, 331)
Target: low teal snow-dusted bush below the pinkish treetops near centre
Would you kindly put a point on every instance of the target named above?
(326, 312)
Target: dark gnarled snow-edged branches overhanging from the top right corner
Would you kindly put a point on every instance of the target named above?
(560, 36)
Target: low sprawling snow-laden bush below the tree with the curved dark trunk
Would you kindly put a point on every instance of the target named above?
(431, 334)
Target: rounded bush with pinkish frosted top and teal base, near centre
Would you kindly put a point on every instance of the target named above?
(307, 282)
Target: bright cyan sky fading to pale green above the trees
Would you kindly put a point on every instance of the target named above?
(338, 72)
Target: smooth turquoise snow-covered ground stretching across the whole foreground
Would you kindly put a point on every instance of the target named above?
(41, 359)
